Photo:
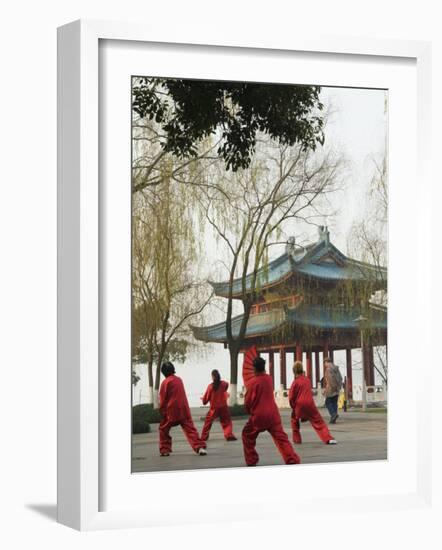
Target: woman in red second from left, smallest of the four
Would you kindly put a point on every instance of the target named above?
(216, 395)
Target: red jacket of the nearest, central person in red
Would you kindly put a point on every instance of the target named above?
(260, 402)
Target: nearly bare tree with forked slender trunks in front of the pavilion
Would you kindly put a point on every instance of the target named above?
(248, 212)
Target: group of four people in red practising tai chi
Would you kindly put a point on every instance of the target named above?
(259, 402)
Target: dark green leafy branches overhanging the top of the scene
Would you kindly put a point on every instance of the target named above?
(191, 110)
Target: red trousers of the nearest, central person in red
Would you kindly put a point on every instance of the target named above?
(250, 434)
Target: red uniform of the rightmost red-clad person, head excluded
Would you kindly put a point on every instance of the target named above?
(304, 408)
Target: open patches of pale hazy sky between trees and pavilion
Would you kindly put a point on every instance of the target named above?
(357, 129)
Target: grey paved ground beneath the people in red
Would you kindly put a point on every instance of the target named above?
(361, 436)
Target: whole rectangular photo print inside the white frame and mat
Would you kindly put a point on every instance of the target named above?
(259, 274)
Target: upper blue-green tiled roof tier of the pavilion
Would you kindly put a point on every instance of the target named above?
(321, 261)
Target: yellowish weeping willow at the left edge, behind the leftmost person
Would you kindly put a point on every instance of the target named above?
(167, 290)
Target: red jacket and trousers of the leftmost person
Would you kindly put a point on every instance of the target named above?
(175, 411)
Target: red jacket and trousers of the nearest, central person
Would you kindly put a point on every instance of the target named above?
(264, 416)
